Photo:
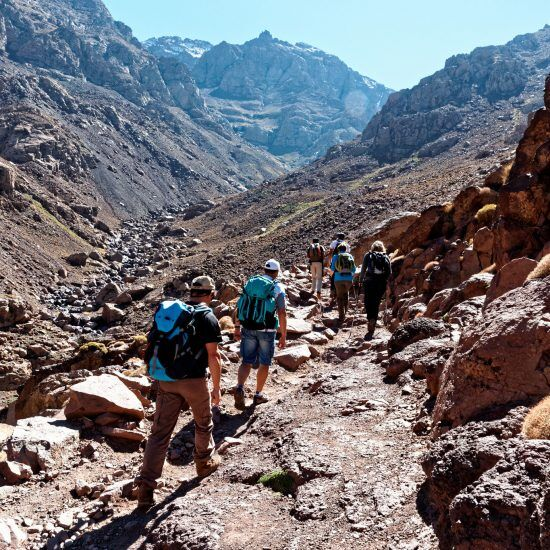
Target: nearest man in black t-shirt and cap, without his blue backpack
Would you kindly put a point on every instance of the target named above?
(191, 390)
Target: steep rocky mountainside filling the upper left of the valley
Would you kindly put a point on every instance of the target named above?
(94, 129)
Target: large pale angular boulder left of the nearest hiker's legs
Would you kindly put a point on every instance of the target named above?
(102, 394)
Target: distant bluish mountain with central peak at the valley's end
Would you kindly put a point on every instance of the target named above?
(293, 100)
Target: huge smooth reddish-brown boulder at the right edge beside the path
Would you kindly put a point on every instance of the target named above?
(501, 359)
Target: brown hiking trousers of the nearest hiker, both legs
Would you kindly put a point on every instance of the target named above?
(171, 398)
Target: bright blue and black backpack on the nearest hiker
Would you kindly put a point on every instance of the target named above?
(169, 353)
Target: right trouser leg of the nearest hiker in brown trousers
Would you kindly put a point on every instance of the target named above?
(196, 393)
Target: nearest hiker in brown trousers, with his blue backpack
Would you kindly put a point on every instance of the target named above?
(182, 344)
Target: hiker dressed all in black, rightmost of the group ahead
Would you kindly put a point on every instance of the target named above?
(375, 272)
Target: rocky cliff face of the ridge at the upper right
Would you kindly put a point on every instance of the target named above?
(444, 108)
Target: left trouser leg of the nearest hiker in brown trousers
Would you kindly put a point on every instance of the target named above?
(166, 415)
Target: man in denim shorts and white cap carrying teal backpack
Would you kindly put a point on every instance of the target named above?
(261, 310)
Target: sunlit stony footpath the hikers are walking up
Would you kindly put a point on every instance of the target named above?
(343, 435)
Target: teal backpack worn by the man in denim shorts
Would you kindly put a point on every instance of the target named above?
(256, 306)
